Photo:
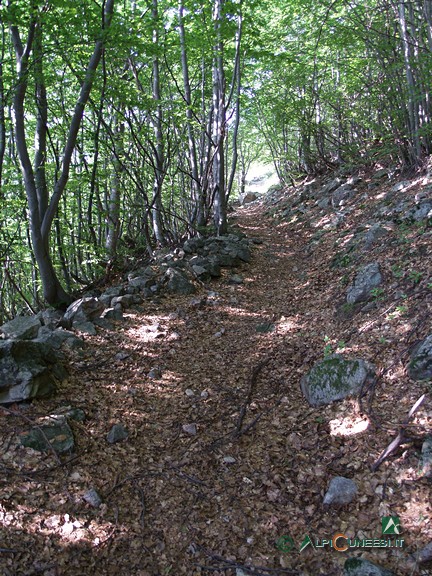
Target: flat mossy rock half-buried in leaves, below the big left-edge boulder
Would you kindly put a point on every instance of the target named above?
(53, 432)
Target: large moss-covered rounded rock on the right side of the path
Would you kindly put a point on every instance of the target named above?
(334, 378)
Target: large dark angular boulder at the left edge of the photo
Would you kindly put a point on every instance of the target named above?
(28, 369)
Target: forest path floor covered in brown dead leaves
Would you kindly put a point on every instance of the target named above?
(220, 498)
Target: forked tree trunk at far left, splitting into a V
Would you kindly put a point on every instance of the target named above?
(42, 212)
